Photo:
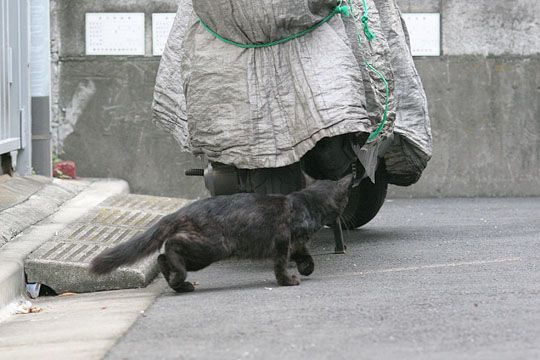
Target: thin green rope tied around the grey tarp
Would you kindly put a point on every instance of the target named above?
(345, 10)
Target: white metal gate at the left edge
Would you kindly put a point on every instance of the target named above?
(14, 81)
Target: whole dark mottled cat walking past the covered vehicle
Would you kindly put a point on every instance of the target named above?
(245, 225)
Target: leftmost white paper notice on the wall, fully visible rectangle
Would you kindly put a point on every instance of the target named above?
(115, 34)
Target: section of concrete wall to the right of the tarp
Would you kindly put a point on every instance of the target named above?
(484, 96)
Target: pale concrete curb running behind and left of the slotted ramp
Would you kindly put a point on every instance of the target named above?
(13, 254)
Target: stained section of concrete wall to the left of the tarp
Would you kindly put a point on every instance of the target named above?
(102, 106)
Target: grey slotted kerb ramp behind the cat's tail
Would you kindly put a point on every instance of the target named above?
(62, 263)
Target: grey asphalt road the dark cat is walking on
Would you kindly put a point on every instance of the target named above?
(427, 279)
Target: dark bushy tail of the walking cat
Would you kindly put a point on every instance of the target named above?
(134, 249)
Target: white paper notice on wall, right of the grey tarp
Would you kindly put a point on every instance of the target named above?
(425, 33)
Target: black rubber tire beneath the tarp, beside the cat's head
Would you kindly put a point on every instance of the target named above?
(365, 200)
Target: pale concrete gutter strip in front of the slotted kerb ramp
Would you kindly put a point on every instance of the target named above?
(81, 326)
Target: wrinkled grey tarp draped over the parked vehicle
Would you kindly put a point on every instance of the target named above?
(267, 107)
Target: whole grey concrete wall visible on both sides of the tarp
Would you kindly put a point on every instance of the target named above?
(483, 94)
